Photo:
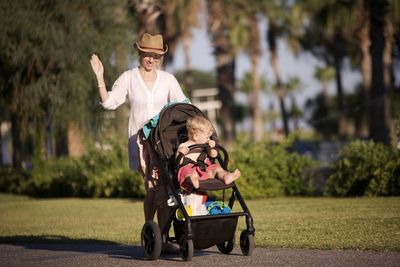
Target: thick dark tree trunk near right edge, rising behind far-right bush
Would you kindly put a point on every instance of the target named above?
(379, 128)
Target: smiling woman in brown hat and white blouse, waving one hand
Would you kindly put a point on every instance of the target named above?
(148, 89)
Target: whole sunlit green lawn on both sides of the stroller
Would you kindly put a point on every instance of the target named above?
(320, 223)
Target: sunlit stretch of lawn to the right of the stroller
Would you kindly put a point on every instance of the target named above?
(327, 223)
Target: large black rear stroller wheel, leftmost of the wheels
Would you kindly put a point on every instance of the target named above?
(151, 240)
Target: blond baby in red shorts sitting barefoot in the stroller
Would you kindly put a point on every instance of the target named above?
(197, 165)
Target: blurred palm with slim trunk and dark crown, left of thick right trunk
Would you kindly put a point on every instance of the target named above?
(327, 35)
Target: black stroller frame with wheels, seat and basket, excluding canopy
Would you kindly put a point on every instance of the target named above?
(198, 232)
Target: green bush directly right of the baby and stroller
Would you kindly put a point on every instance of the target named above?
(269, 170)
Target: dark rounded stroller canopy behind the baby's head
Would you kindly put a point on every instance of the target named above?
(171, 128)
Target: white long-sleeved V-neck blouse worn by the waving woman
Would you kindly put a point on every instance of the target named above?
(144, 103)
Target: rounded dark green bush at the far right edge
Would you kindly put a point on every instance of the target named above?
(365, 168)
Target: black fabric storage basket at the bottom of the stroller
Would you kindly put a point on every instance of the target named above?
(209, 230)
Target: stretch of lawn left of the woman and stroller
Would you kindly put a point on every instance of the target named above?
(65, 220)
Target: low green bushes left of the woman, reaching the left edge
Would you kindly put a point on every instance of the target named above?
(102, 172)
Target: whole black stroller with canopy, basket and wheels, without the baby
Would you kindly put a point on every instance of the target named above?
(193, 232)
